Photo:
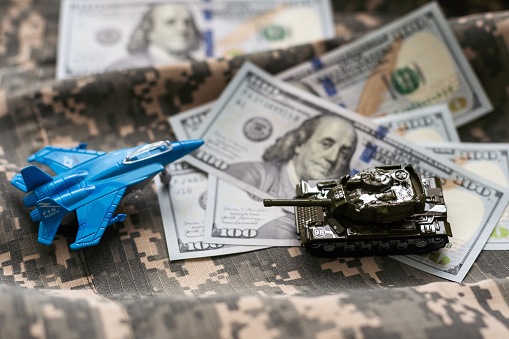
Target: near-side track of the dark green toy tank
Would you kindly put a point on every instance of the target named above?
(393, 246)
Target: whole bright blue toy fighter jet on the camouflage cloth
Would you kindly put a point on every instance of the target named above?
(90, 182)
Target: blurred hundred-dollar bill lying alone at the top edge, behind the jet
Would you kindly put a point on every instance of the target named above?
(104, 35)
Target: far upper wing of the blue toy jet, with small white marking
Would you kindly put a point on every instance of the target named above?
(62, 159)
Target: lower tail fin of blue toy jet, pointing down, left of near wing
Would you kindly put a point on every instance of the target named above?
(51, 214)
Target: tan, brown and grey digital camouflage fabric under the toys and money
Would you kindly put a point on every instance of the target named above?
(127, 287)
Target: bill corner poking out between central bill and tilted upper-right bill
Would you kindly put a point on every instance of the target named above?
(433, 123)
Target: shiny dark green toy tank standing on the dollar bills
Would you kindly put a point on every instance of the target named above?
(381, 210)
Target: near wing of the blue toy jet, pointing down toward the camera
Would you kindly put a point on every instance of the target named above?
(94, 217)
